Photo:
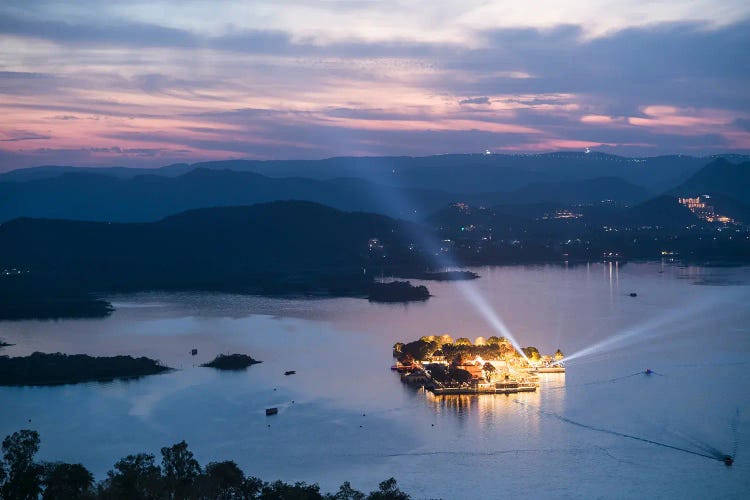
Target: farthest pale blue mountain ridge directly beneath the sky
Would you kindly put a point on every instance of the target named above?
(467, 173)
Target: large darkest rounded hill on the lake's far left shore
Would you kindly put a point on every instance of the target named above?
(271, 248)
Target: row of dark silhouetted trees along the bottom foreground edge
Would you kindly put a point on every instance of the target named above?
(139, 477)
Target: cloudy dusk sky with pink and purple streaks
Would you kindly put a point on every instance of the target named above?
(148, 83)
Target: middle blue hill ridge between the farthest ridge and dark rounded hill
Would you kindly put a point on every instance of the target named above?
(146, 198)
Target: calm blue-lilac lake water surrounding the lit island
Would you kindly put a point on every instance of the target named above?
(345, 416)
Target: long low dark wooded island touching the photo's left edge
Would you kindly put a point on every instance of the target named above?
(58, 369)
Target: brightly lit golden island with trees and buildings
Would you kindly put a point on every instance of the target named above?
(486, 366)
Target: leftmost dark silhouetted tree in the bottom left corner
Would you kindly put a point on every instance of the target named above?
(22, 475)
